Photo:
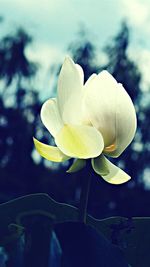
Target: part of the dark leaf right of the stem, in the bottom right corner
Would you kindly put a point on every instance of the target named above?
(131, 235)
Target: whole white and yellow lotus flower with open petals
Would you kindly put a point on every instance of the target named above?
(88, 121)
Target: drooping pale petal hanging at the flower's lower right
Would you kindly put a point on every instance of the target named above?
(108, 171)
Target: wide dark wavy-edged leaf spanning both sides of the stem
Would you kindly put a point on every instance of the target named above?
(131, 235)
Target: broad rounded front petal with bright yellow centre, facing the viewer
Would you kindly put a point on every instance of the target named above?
(80, 141)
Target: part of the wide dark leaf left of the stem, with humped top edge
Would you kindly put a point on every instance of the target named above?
(13, 213)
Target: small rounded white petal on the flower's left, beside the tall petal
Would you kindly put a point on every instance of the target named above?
(50, 116)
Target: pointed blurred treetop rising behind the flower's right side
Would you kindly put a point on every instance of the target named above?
(120, 65)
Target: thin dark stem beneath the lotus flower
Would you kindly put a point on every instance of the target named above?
(85, 188)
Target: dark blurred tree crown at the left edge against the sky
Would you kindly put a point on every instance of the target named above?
(14, 64)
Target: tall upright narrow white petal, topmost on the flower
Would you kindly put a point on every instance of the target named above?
(70, 87)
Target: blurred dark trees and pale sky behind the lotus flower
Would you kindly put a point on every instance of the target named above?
(35, 36)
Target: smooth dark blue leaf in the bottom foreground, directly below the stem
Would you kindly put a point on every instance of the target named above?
(82, 246)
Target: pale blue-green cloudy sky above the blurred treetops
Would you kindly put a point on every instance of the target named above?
(55, 23)
